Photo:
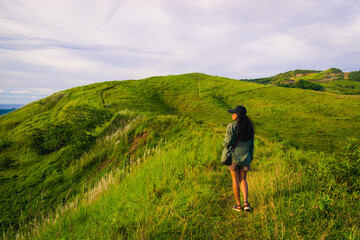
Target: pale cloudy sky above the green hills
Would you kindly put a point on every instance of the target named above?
(52, 45)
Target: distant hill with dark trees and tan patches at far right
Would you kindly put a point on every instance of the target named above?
(333, 80)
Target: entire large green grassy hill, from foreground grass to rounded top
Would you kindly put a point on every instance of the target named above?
(140, 159)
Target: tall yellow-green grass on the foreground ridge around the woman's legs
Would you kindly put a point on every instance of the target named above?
(180, 190)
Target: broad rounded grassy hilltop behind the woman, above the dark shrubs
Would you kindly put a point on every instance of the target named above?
(205, 98)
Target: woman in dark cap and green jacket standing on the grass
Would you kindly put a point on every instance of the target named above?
(240, 133)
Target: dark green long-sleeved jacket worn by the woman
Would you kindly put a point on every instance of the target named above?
(243, 150)
